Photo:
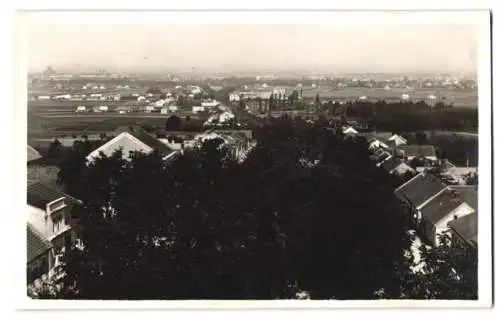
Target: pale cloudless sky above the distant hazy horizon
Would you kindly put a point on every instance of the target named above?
(328, 48)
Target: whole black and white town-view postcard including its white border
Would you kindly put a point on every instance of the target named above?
(180, 156)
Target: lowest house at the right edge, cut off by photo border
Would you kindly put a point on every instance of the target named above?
(464, 232)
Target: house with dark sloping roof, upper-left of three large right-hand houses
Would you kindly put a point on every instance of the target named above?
(417, 192)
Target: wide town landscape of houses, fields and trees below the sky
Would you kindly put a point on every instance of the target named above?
(202, 184)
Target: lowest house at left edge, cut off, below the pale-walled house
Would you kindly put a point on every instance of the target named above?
(39, 254)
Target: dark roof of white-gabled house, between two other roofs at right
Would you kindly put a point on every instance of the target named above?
(440, 206)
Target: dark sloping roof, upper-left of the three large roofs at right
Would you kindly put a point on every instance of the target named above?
(419, 189)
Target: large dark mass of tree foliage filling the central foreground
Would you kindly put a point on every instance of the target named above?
(307, 211)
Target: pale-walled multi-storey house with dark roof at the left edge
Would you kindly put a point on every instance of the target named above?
(53, 214)
